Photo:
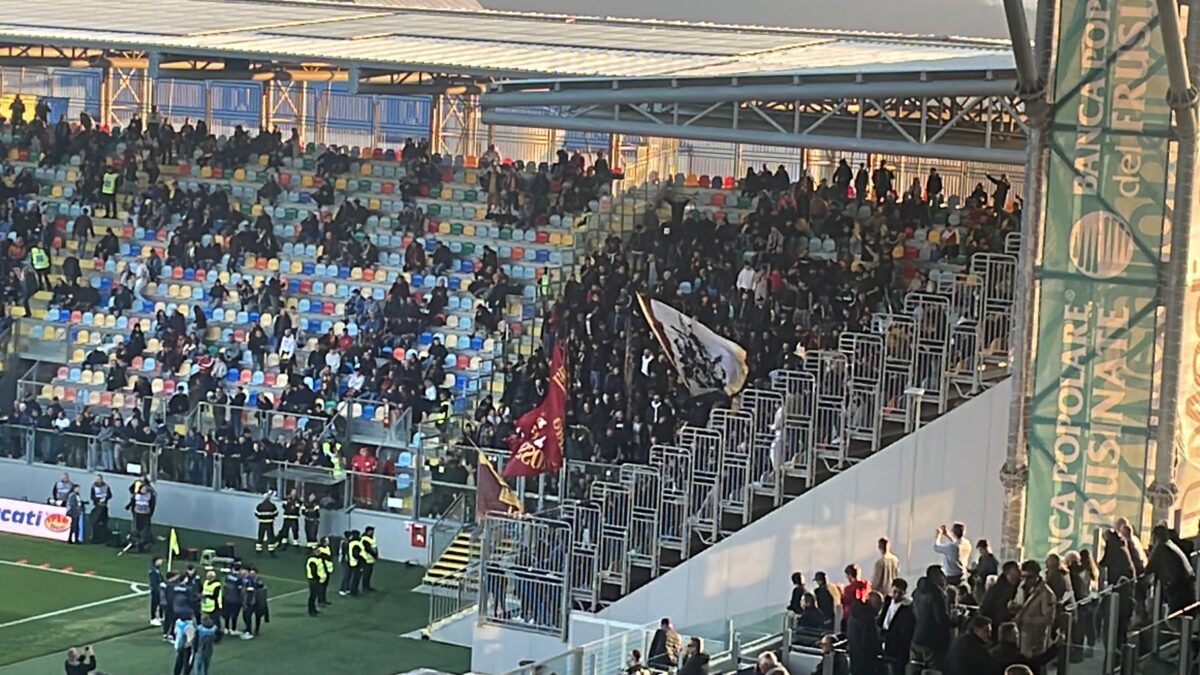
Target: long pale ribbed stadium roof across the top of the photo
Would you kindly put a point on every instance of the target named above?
(451, 37)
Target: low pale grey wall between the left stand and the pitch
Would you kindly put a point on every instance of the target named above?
(205, 510)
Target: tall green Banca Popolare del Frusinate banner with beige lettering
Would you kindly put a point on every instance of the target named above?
(1088, 429)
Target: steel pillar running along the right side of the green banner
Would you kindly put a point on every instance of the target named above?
(1183, 65)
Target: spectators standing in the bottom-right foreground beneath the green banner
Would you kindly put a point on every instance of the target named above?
(970, 614)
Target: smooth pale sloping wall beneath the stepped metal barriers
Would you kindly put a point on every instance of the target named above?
(947, 471)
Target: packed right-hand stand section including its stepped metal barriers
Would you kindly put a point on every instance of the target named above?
(861, 312)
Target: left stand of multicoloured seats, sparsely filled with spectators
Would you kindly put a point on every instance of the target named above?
(260, 279)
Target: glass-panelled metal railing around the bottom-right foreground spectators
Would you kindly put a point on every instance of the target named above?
(1100, 635)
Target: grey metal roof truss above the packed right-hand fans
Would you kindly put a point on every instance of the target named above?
(968, 120)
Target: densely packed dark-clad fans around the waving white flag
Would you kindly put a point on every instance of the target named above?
(806, 264)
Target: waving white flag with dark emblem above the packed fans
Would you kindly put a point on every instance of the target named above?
(705, 361)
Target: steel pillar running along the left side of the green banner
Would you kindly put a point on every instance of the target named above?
(1015, 475)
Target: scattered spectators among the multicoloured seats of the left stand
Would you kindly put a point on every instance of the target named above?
(122, 171)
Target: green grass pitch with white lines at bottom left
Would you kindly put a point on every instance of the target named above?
(57, 596)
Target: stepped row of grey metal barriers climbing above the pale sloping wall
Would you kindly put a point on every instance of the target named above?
(769, 446)
